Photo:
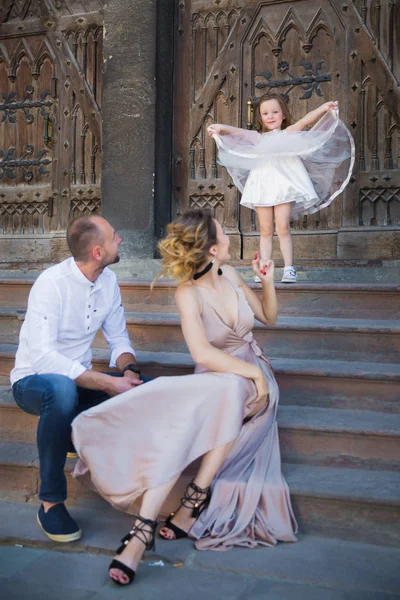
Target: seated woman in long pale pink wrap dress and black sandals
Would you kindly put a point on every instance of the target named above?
(225, 412)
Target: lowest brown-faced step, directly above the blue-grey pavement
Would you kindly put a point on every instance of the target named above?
(350, 504)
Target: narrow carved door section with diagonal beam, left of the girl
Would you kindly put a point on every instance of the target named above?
(206, 95)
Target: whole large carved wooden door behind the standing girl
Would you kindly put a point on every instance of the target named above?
(228, 53)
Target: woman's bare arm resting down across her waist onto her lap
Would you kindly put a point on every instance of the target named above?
(203, 353)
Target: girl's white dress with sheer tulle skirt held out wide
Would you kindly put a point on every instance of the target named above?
(307, 168)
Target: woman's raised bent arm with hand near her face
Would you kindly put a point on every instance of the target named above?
(266, 308)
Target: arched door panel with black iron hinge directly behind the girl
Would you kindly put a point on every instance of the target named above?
(296, 49)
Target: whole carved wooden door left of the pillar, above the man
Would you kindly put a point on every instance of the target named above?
(50, 131)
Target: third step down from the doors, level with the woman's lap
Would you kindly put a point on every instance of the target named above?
(323, 383)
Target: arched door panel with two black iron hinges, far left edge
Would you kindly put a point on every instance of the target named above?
(28, 112)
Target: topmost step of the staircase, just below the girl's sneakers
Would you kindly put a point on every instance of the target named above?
(313, 299)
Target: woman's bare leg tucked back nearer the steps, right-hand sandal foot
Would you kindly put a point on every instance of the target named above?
(209, 467)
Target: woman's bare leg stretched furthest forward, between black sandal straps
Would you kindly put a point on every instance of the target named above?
(152, 502)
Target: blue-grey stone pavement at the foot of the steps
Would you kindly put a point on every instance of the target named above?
(314, 568)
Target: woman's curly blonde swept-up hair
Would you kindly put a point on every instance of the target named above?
(185, 248)
